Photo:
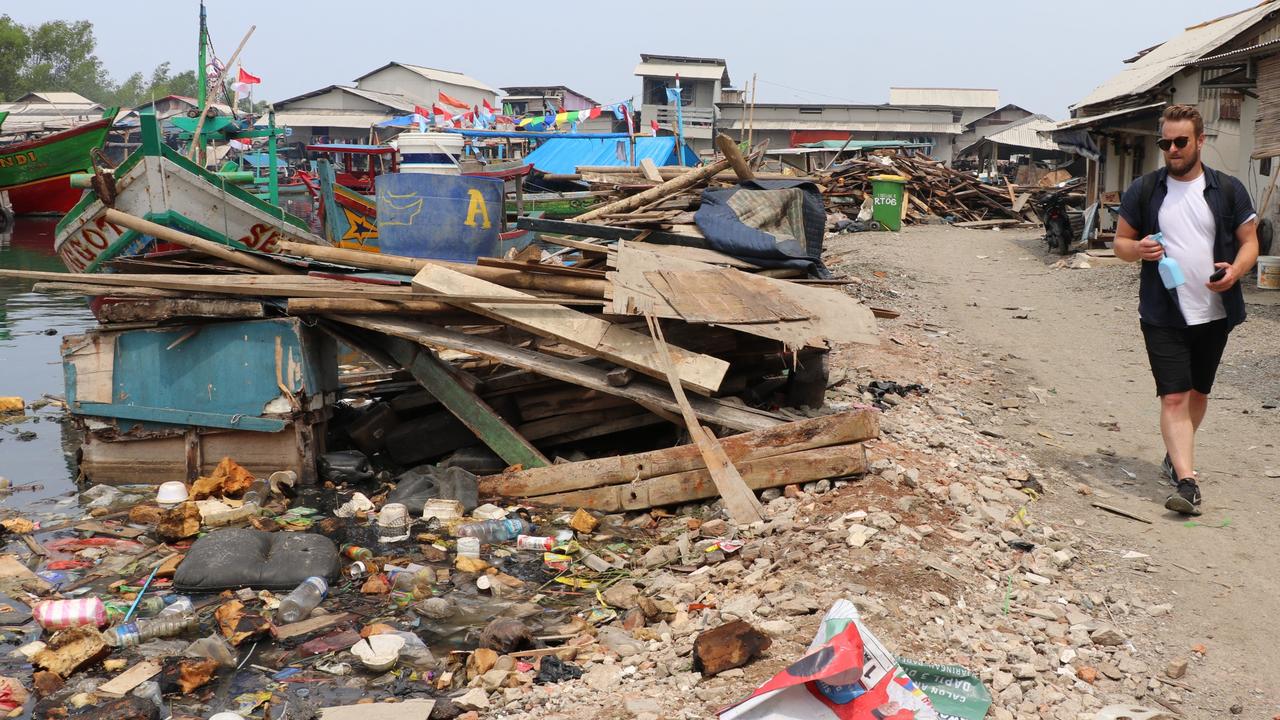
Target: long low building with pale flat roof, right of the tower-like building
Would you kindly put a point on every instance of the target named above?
(793, 126)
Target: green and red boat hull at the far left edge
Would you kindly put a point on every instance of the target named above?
(38, 172)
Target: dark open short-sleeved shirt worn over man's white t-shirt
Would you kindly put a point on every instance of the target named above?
(1156, 304)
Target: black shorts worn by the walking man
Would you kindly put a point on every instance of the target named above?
(1185, 359)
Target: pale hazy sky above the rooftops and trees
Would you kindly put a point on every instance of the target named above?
(1040, 56)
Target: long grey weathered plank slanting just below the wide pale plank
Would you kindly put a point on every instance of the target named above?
(715, 412)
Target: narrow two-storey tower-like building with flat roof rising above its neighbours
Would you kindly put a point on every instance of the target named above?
(702, 81)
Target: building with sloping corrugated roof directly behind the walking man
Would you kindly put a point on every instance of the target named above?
(1228, 66)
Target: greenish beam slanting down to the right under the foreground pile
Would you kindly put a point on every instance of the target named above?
(467, 405)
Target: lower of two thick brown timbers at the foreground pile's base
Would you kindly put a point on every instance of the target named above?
(780, 471)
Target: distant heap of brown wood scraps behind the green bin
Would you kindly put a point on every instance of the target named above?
(934, 190)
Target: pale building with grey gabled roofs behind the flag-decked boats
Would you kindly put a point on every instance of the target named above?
(341, 113)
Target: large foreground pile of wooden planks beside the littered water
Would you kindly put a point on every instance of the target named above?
(584, 348)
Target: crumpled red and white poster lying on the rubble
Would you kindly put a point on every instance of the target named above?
(848, 675)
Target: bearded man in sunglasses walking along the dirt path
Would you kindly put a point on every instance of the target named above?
(1208, 227)
